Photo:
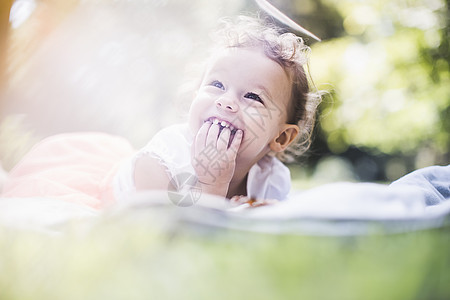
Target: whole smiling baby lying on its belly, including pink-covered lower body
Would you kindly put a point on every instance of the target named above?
(252, 107)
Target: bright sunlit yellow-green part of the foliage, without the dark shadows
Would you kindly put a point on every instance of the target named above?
(391, 75)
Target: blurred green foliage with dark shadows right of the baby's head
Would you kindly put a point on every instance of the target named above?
(386, 67)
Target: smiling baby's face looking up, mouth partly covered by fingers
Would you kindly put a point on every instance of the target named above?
(244, 89)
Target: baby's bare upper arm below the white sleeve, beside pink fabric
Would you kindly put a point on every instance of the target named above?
(149, 174)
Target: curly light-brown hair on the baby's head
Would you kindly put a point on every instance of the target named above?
(291, 53)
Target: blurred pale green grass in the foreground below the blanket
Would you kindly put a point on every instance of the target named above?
(138, 256)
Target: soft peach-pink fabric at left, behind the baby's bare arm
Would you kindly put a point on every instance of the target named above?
(75, 167)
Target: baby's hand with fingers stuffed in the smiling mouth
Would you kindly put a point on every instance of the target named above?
(214, 156)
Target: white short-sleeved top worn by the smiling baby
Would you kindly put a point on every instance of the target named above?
(267, 179)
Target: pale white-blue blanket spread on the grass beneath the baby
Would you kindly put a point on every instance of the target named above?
(419, 200)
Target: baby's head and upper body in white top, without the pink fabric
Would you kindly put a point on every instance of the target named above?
(253, 103)
